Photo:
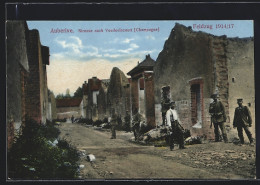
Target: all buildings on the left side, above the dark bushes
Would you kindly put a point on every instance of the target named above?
(26, 79)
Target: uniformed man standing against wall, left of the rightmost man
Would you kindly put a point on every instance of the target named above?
(218, 118)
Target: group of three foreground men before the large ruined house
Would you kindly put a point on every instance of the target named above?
(242, 120)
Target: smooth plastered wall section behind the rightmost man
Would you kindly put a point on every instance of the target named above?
(240, 61)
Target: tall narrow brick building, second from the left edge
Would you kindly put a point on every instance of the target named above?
(37, 95)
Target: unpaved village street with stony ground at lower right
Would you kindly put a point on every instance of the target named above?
(122, 159)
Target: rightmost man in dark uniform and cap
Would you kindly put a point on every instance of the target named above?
(242, 119)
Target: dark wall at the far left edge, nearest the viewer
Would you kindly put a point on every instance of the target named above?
(17, 70)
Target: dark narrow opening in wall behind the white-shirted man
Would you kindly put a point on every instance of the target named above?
(165, 102)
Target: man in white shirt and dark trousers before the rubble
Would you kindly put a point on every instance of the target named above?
(177, 130)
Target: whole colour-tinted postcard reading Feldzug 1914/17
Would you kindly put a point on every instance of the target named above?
(167, 99)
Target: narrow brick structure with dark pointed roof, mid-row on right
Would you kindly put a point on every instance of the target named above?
(142, 90)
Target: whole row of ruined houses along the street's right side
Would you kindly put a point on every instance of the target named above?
(194, 65)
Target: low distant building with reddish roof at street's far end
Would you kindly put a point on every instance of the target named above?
(68, 107)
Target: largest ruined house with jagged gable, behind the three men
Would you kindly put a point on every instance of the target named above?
(196, 65)
